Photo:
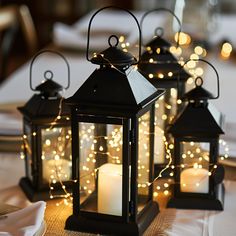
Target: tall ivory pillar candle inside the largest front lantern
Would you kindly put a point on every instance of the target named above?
(110, 189)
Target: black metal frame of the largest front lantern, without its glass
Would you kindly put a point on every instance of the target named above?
(110, 110)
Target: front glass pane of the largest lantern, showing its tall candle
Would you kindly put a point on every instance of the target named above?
(100, 155)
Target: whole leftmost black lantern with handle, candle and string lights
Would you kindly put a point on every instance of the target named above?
(47, 139)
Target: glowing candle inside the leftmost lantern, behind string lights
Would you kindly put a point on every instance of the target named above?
(62, 166)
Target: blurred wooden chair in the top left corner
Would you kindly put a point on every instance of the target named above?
(12, 20)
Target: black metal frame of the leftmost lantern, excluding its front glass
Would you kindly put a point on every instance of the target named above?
(41, 113)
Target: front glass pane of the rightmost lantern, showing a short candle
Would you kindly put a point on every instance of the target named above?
(194, 167)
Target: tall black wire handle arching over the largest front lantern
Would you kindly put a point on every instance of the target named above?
(120, 8)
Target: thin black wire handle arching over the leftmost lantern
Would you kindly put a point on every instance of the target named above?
(48, 73)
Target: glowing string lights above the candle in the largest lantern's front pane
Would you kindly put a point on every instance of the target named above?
(96, 148)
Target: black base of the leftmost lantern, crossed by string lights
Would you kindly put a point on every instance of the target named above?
(36, 194)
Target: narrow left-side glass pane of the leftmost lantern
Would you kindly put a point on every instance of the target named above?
(28, 150)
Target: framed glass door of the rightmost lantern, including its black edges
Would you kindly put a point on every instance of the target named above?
(195, 167)
